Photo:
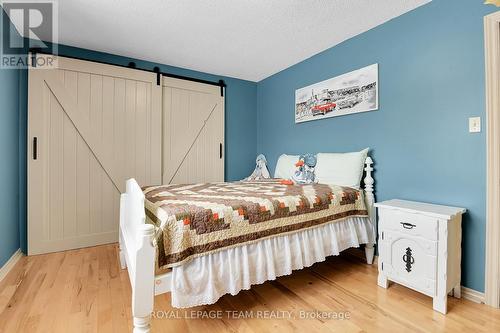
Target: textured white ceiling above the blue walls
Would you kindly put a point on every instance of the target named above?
(247, 39)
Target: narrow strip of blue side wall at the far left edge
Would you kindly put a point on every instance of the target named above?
(9, 165)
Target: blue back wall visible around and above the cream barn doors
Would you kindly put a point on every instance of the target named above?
(240, 122)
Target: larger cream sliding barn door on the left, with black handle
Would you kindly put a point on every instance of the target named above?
(90, 127)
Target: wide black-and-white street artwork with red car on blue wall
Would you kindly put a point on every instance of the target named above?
(353, 92)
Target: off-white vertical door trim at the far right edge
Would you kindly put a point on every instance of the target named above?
(492, 58)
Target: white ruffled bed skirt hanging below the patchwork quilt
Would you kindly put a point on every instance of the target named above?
(205, 279)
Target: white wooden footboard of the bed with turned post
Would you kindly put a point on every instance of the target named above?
(137, 253)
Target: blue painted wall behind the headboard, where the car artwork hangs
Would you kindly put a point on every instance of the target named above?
(431, 79)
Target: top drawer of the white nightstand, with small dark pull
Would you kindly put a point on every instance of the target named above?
(409, 224)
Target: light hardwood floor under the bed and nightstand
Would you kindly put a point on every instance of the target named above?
(85, 291)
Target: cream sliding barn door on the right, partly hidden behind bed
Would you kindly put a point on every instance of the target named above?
(193, 132)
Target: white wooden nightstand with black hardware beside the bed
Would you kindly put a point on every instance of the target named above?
(419, 247)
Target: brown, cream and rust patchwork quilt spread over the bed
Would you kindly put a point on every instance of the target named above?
(193, 220)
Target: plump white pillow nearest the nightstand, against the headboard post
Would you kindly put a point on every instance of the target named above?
(344, 169)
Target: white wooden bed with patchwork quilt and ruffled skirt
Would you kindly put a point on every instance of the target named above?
(201, 241)
